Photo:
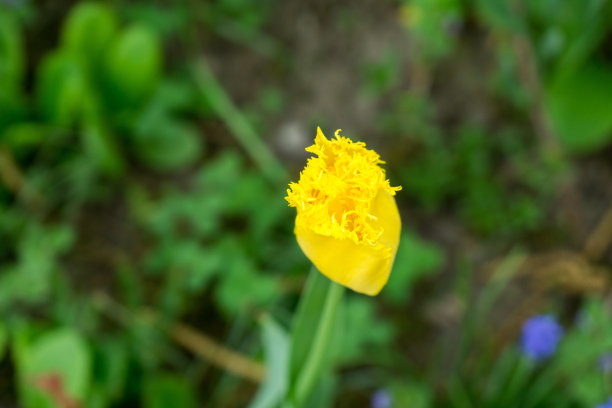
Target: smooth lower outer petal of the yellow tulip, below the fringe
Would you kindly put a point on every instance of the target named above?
(363, 267)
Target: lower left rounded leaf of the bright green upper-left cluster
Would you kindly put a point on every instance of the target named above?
(62, 89)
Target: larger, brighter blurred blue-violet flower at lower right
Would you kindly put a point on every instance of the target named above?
(540, 337)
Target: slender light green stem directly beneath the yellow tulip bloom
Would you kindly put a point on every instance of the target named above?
(311, 369)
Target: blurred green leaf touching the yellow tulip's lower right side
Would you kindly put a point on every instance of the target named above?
(415, 259)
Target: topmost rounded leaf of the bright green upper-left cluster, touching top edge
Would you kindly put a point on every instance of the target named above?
(88, 31)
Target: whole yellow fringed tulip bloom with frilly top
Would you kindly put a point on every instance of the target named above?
(347, 220)
